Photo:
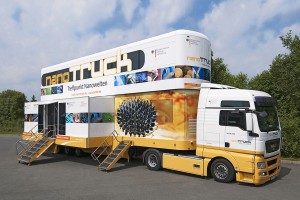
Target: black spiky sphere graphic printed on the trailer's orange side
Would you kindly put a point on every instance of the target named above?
(137, 117)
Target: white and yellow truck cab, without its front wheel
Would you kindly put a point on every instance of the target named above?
(242, 127)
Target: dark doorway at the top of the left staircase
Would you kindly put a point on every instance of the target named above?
(48, 118)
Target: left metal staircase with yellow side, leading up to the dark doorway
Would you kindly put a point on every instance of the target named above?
(33, 146)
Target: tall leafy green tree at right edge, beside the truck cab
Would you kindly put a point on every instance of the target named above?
(282, 82)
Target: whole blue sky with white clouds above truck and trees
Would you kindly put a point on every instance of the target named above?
(40, 33)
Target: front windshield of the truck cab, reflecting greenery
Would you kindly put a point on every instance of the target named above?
(266, 114)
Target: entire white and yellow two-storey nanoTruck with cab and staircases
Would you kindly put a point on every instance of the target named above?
(153, 99)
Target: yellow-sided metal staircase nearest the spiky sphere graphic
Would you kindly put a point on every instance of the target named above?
(113, 155)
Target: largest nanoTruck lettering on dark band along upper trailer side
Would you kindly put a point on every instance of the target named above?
(103, 67)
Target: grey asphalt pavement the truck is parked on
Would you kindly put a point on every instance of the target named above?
(58, 176)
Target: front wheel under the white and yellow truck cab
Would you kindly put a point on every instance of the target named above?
(222, 170)
